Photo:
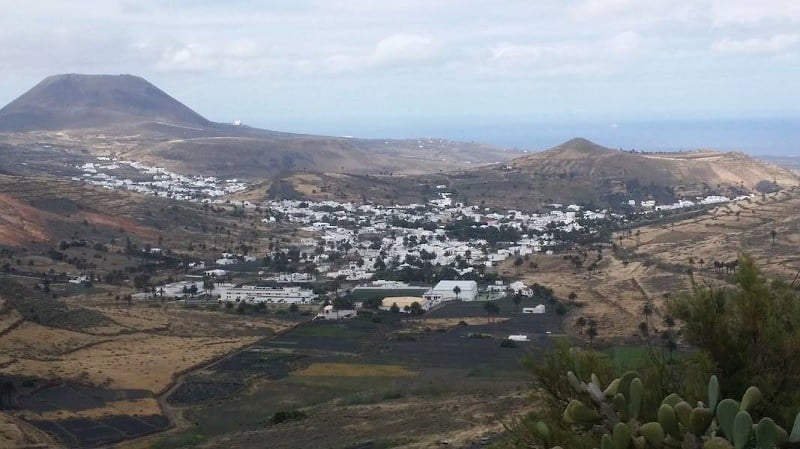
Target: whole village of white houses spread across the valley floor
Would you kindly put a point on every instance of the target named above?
(415, 254)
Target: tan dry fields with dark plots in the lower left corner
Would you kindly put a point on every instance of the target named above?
(99, 379)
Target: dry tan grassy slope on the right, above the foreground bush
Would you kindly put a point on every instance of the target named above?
(615, 294)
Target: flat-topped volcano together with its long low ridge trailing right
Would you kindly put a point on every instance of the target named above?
(126, 115)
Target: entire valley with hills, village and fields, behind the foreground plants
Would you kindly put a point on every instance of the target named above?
(171, 282)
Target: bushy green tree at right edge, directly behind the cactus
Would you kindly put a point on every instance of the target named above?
(751, 332)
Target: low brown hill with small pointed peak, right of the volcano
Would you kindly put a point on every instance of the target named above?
(577, 171)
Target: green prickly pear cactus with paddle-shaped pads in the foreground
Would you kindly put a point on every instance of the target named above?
(615, 411)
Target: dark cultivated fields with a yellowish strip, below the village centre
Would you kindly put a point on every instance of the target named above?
(393, 383)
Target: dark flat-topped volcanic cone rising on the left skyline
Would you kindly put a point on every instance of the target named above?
(95, 101)
